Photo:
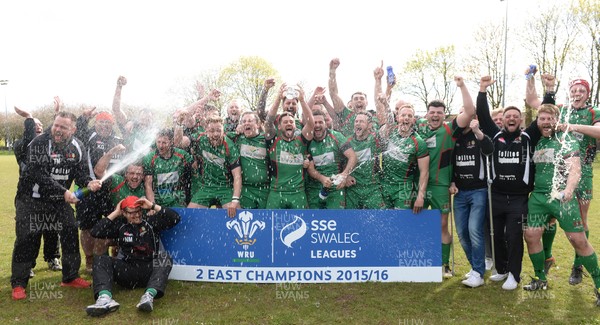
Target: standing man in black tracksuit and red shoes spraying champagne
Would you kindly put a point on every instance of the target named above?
(54, 159)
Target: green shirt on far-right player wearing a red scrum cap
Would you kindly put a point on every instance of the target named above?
(587, 115)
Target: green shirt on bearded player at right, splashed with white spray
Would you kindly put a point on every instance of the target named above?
(550, 154)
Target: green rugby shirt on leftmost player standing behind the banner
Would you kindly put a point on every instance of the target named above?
(169, 176)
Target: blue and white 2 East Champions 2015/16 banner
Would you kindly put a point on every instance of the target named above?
(307, 246)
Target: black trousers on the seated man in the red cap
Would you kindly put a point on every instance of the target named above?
(132, 274)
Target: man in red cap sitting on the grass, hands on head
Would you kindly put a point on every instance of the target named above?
(142, 261)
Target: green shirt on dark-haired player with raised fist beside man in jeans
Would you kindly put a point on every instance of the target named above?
(440, 144)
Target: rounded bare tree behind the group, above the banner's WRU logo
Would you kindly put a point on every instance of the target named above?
(244, 80)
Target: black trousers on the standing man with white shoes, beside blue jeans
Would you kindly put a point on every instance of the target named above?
(510, 216)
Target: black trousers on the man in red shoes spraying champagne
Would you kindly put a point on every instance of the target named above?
(33, 218)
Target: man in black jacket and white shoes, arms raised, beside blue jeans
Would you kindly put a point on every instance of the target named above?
(512, 174)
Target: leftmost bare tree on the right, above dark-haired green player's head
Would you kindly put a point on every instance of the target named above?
(430, 75)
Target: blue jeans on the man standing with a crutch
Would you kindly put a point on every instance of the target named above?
(469, 214)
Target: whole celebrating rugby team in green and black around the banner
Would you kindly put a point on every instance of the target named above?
(335, 155)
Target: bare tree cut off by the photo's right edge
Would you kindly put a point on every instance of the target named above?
(588, 13)
